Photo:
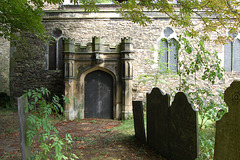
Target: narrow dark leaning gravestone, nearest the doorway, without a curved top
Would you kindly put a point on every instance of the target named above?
(139, 121)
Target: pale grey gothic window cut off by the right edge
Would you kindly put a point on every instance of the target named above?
(232, 56)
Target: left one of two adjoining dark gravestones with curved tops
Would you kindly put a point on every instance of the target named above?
(157, 120)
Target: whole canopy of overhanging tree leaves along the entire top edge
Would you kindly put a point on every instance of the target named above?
(26, 15)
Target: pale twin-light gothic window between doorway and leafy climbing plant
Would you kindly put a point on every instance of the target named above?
(168, 51)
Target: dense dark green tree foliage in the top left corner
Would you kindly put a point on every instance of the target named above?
(20, 15)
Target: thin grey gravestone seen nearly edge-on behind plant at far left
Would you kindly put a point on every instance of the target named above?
(25, 149)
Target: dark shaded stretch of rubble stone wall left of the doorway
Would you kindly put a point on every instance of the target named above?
(27, 68)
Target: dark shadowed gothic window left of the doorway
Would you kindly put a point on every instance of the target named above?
(55, 56)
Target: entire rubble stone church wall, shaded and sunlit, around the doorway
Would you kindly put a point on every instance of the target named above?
(28, 68)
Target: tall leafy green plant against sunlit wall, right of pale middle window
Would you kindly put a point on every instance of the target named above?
(204, 67)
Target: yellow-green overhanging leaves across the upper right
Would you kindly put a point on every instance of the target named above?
(181, 12)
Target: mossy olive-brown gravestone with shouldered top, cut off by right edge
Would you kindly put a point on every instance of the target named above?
(227, 140)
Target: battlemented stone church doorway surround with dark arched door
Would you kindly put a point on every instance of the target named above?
(98, 79)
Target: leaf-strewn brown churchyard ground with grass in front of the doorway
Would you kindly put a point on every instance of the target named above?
(93, 139)
